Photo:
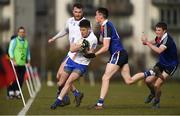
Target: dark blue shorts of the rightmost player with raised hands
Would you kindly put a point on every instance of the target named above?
(168, 69)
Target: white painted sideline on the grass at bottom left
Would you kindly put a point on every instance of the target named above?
(26, 108)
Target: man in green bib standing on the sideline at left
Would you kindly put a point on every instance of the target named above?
(19, 53)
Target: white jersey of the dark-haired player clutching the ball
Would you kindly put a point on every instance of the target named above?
(77, 56)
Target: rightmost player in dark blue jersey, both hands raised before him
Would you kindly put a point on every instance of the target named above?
(165, 66)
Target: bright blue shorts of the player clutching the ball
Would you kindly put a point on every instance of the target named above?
(72, 66)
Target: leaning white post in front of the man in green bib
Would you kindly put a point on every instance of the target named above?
(18, 83)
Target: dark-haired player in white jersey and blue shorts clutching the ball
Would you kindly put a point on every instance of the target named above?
(77, 64)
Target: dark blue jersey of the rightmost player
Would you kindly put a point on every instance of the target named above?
(169, 56)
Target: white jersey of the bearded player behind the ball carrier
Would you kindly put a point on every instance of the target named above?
(73, 29)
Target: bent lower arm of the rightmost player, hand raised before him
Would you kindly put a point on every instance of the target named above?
(159, 49)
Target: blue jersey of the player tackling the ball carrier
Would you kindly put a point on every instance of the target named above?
(108, 31)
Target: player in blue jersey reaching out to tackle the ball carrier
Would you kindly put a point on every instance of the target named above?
(119, 57)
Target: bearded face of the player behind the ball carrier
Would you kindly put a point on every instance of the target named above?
(77, 13)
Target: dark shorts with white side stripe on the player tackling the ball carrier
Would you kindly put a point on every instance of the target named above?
(119, 58)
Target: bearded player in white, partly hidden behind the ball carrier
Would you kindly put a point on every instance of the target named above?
(73, 31)
